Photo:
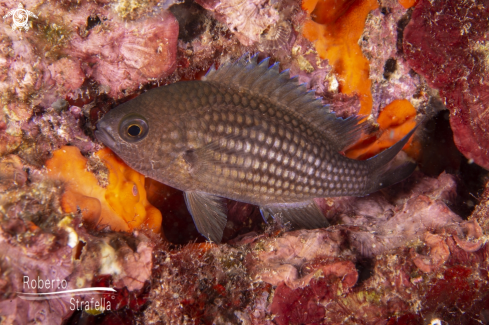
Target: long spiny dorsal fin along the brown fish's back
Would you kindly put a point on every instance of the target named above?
(263, 80)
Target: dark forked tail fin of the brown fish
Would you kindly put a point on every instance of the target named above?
(383, 174)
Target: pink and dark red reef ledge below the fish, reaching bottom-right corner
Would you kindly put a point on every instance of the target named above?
(376, 264)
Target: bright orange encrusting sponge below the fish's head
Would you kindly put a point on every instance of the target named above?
(122, 204)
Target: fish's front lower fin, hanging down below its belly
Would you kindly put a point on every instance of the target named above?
(209, 213)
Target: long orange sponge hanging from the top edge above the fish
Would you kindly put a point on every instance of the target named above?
(335, 28)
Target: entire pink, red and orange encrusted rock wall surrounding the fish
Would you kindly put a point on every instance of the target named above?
(410, 254)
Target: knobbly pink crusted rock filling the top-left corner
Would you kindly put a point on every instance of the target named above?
(66, 46)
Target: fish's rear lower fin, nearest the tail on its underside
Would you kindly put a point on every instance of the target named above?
(305, 215)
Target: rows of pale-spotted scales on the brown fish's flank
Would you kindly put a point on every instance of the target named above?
(300, 163)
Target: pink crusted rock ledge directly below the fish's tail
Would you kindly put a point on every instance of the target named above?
(383, 221)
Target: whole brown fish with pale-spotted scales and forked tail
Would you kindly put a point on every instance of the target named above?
(249, 133)
